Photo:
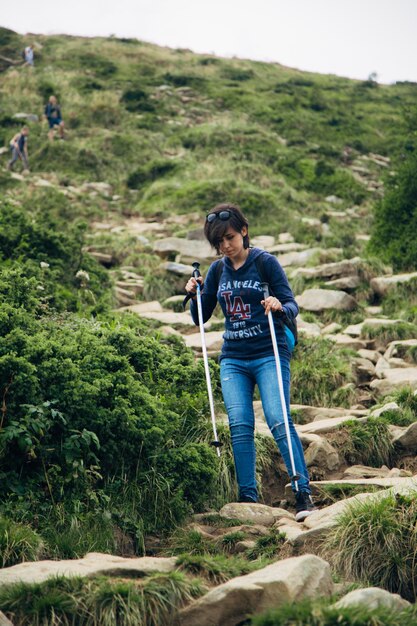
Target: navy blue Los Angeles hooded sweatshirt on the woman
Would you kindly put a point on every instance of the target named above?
(239, 293)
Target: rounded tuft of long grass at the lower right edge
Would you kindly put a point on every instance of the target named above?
(375, 541)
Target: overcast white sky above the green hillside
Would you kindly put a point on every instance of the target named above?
(346, 37)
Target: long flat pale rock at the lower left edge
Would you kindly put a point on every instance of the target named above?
(92, 564)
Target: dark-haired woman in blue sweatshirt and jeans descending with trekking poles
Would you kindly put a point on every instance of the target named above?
(247, 356)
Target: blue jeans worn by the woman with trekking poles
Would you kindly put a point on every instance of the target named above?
(238, 379)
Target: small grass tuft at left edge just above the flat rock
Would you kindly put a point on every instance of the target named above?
(18, 542)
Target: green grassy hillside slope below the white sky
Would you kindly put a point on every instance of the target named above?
(183, 131)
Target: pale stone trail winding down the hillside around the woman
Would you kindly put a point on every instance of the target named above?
(379, 368)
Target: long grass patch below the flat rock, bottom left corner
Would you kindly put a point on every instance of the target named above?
(152, 601)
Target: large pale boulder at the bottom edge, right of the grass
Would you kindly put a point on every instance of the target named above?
(289, 580)
